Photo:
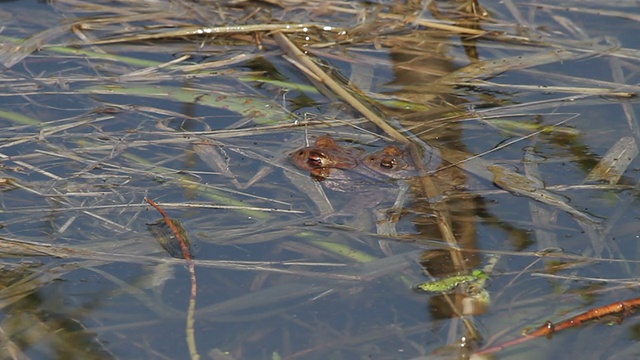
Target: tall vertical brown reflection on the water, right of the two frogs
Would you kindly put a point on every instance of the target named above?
(413, 74)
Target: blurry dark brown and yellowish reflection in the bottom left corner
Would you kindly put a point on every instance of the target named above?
(39, 323)
